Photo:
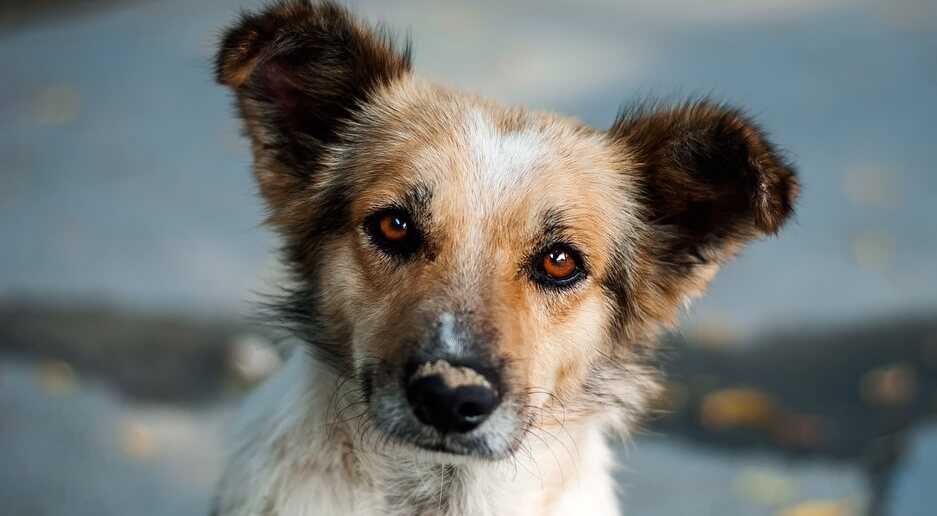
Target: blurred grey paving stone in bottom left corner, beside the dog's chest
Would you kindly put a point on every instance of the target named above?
(71, 446)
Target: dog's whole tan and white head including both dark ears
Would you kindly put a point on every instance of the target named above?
(480, 271)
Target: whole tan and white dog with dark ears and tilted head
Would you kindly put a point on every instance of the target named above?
(477, 288)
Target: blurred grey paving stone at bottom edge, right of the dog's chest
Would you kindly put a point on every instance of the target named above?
(664, 476)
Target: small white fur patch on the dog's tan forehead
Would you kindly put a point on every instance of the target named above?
(502, 160)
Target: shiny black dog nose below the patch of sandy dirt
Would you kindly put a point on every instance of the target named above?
(448, 409)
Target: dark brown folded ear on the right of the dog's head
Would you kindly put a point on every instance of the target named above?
(710, 181)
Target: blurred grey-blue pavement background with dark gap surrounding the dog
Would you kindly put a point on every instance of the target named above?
(131, 255)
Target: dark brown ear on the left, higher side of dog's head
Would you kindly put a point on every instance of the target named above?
(300, 70)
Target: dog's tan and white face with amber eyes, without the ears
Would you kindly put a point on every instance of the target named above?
(480, 237)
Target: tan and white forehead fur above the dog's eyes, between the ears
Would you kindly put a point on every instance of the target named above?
(482, 164)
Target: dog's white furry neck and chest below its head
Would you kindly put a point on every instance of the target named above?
(327, 451)
